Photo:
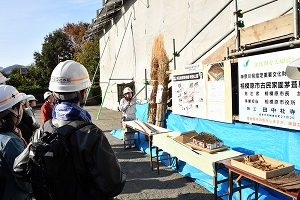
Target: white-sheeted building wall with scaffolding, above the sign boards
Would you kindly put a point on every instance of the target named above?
(197, 31)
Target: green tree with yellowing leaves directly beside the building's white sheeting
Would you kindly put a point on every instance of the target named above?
(88, 55)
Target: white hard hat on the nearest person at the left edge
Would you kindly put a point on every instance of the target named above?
(9, 97)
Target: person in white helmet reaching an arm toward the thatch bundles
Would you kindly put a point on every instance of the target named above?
(128, 108)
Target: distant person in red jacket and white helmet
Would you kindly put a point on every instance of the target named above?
(47, 107)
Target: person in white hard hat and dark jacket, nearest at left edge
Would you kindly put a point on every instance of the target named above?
(11, 144)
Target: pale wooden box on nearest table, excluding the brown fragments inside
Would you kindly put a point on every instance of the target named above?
(260, 173)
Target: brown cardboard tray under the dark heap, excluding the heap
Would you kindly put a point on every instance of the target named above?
(185, 138)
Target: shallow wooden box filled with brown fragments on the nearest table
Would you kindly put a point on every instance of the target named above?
(262, 166)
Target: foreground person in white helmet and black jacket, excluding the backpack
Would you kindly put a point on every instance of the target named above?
(97, 169)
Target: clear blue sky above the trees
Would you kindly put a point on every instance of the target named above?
(25, 23)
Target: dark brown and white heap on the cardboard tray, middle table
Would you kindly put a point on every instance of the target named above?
(207, 140)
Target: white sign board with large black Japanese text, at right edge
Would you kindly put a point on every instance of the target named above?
(266, 95)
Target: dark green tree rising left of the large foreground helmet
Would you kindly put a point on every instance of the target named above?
(57, 47)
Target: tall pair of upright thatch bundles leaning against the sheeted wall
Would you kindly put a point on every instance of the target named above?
(158, 75)
